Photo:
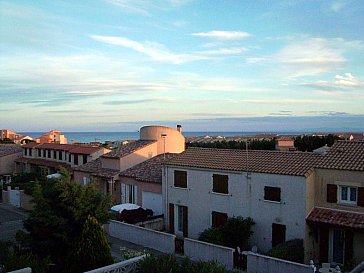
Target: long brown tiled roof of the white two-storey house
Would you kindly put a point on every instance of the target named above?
(276, 162)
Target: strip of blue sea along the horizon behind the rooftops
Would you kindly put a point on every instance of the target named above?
(86, 137)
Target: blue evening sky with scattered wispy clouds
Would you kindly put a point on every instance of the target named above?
(239, 65)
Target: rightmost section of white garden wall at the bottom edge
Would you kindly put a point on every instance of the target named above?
(264, 264)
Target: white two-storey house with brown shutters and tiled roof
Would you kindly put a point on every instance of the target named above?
(203, 187)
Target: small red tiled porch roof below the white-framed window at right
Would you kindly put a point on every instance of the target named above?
(337, 218)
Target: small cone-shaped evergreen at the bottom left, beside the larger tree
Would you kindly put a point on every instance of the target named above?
(92, 250)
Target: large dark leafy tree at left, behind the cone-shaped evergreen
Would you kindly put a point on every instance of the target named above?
(61, 208)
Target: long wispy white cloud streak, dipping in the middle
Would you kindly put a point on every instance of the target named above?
(159, 52)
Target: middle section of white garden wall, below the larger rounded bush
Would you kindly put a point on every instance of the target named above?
(198, 250)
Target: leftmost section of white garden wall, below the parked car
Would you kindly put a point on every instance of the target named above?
(163, 242)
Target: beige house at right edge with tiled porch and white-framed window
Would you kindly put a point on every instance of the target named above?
(336, 222)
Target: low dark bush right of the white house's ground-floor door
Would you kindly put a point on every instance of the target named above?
(291, 250)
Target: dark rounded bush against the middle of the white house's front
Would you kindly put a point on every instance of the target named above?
(234, 233)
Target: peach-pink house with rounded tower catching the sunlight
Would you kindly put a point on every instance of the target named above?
(110, 170)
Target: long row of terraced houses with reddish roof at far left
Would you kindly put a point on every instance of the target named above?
(49, 157)
